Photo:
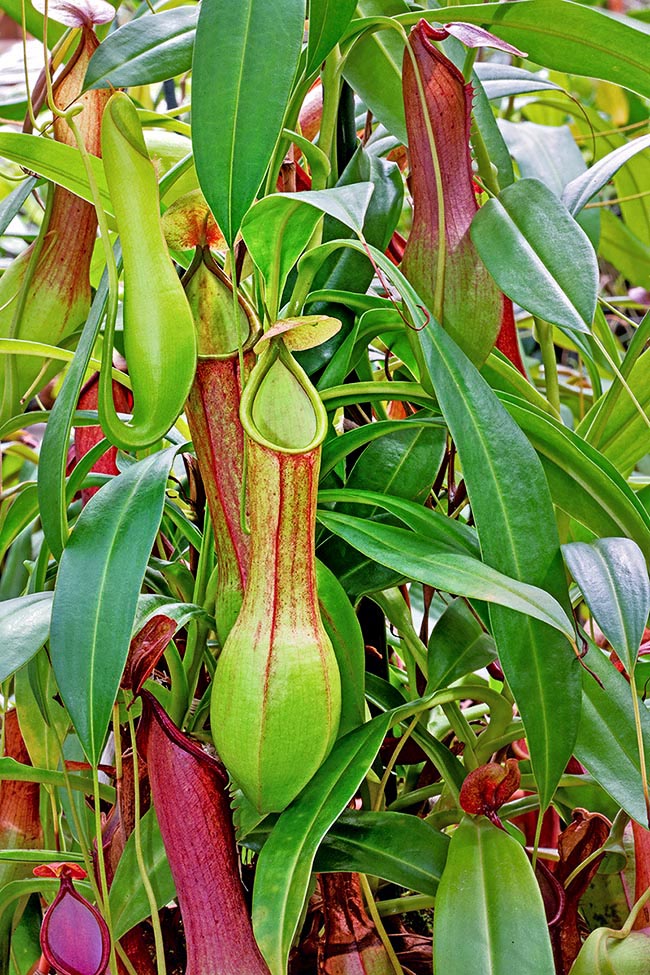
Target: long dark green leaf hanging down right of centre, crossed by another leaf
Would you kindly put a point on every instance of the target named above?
(514, 517)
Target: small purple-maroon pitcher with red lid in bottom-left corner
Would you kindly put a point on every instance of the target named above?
(74, 935)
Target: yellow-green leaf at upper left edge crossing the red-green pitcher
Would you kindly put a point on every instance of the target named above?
(56, 161)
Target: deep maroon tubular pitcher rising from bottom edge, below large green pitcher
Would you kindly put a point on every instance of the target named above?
(190, 794)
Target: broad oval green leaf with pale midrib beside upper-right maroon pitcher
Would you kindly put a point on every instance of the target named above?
(538, 255)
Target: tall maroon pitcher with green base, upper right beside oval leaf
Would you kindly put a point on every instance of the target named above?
(440, 259)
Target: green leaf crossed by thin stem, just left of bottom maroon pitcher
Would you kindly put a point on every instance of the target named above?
(128, 899)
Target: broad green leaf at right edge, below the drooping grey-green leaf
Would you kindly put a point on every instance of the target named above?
(607, 743)
